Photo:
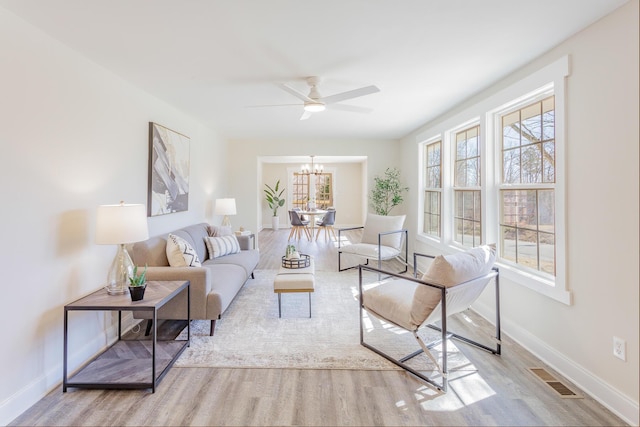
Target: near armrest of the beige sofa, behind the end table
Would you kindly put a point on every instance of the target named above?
(198, 276)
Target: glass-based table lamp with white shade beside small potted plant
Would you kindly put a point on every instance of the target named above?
(119, 225)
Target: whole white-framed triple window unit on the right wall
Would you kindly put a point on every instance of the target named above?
(501, 180)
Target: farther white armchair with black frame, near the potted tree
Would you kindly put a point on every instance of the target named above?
(383, 238)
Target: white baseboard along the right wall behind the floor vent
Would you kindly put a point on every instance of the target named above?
(617, 402)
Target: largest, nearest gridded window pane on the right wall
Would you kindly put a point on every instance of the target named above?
(527, 207)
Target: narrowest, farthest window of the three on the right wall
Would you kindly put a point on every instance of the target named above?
(433, 189)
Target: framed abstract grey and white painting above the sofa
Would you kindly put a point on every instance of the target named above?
(168, 187)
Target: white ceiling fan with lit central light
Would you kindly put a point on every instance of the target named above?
(315, 103)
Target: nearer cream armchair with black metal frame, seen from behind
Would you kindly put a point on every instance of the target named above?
(450, 285)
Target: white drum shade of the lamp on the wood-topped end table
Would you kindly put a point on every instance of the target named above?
(119, 224)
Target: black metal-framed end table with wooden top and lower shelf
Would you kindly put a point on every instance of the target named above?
(129, 364)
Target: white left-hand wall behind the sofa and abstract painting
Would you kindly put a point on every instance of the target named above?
(72, 136)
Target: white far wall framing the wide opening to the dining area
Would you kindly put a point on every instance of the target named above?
(246, 169)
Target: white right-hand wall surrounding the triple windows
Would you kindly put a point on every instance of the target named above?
(602, 199)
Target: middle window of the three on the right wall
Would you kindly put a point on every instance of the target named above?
(467, 206)
